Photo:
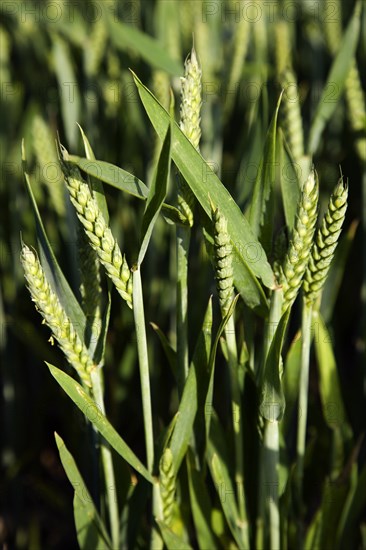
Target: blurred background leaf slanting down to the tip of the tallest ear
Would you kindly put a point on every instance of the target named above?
(126, 37)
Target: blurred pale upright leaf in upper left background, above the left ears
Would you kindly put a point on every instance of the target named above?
(68, 90)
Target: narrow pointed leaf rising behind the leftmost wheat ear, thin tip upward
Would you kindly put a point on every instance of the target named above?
(52, 269)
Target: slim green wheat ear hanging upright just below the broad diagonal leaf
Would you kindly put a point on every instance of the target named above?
(223, 260)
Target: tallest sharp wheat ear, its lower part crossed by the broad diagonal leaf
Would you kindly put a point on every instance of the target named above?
(190, 124)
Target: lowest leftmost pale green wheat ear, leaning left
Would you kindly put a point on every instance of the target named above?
(47, 303)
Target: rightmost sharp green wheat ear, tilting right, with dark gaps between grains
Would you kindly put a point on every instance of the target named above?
(325, 243)
